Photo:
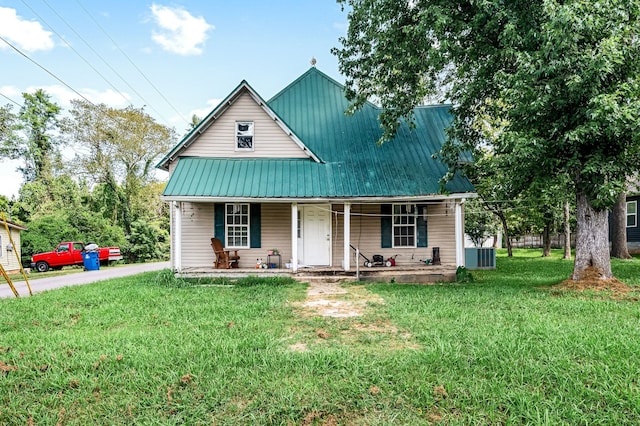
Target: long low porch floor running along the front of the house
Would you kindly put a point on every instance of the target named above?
(396, 274)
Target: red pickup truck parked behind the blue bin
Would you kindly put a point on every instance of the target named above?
(70, 253)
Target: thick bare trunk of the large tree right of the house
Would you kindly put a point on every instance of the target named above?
(592, 239)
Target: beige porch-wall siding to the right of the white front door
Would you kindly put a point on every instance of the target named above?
(366, 234)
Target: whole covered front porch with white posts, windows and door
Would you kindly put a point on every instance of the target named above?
(317, 237)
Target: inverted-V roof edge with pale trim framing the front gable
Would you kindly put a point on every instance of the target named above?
(206, 122)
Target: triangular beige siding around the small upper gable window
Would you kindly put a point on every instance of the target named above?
(269, 139)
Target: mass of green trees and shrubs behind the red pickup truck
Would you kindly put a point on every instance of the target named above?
(107, 193)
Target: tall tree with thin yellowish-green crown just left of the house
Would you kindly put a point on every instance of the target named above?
(118, 149)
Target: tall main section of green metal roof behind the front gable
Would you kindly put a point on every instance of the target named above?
(314, 107)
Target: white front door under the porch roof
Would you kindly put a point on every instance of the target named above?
(314, 236)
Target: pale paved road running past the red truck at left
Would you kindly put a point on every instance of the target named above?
(85, 277)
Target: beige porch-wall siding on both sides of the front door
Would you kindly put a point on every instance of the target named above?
(198, 228)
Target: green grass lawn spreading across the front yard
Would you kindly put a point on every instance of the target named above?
(504, 349)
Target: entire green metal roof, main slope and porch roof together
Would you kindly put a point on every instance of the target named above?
(352, 164)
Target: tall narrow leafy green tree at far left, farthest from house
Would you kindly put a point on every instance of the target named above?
(37, 146)
